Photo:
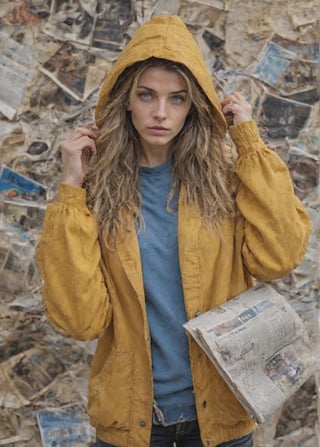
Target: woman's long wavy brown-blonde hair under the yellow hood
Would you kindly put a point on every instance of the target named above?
(200, 162)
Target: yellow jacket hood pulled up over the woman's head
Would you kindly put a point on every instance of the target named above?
(165, 37)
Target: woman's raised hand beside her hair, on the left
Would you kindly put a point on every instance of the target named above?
(77, 150)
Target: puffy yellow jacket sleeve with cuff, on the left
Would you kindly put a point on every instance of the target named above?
(68, 256)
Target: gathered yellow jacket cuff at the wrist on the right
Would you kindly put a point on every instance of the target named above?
(246, 137)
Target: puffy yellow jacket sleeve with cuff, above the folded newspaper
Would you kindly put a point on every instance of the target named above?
(275, 224)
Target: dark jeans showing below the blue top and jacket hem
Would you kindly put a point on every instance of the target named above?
(184, 434)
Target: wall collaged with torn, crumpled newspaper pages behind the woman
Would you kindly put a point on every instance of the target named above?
(53, 57)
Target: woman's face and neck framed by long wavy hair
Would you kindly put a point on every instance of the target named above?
(159, 106)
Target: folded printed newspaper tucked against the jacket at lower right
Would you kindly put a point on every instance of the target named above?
(259, 345)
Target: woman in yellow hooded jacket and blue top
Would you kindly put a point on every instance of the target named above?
(155, 222)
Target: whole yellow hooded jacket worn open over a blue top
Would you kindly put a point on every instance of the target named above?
(91, 291)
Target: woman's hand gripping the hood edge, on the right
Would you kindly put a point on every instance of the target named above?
(236, 109)
